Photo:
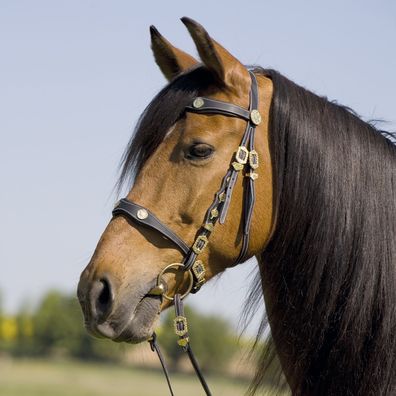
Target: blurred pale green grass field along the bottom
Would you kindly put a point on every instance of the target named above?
(69, 378)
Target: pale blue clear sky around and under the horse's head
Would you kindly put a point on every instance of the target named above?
(75, 76)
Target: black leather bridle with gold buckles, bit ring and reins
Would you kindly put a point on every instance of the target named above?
(246, 158)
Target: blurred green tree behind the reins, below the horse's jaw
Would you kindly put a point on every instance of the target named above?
(212, 340)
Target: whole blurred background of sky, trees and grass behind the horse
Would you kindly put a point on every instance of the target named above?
(74, 78)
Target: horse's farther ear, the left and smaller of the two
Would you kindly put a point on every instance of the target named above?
(170, 59)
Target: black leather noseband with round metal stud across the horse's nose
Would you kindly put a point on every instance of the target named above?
(143, 216)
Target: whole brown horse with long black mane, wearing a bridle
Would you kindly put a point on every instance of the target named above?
(320, 219)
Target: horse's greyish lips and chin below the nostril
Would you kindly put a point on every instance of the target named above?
(132, 328)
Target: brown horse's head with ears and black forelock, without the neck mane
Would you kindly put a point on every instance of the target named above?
(179, 160)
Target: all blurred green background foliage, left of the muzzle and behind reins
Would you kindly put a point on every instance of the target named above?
(55, 327)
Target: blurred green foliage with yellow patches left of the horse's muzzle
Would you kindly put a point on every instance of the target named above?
(54, 328)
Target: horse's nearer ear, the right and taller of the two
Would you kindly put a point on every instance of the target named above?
(228, 70)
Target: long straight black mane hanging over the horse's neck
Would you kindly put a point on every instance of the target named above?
(332, 258)
